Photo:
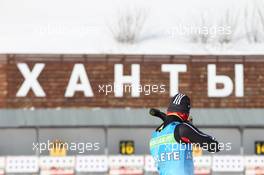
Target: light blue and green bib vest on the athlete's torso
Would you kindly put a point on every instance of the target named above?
(171, 157)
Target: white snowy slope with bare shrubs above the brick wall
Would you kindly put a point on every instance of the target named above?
(164, 26)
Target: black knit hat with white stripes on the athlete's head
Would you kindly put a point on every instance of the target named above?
(180, 103)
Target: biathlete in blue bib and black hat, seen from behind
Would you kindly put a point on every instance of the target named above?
(171, 144)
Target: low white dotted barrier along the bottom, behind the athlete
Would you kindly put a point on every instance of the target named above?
(140, 164)
